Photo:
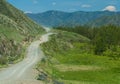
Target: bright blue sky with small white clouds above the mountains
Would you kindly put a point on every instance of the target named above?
(38, 6)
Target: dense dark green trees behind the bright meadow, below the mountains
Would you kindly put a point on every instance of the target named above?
(104, 39)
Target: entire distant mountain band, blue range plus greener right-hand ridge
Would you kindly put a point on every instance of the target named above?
(59, 18)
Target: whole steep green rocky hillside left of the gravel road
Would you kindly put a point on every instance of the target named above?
(16, 29)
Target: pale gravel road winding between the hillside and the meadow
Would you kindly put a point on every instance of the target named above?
(23, 72)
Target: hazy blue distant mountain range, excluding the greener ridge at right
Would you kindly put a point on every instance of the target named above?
(58, 18)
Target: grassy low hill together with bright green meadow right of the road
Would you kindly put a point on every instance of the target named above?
(71, 60)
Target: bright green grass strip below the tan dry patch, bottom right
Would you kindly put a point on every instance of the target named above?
(101, 77)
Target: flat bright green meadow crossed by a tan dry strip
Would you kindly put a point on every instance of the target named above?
(107, 74)
